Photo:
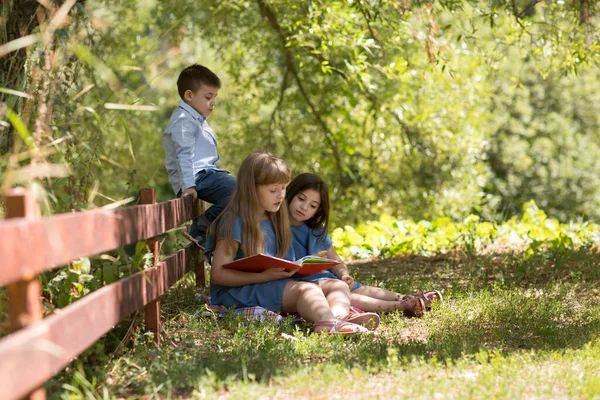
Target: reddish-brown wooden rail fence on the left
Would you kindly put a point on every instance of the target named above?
(38, 348)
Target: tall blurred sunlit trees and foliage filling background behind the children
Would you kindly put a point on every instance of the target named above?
(418, 109)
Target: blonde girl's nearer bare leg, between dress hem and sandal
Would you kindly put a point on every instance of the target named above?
(308, 300)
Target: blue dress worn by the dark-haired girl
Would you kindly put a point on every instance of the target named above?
(308, 242)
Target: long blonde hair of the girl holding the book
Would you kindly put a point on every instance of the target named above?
(260, 168)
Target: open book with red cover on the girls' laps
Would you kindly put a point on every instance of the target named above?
(308, 265)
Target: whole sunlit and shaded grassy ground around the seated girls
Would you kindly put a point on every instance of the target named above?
(511, 327)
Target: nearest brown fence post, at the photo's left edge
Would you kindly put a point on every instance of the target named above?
(24, 296)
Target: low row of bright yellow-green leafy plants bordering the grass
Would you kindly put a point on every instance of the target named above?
(533, 232)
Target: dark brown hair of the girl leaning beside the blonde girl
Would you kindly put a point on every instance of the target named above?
(307, 181)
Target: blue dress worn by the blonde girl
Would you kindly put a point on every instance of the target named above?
(268, 294)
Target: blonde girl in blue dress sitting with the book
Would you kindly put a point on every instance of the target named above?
(256, 221)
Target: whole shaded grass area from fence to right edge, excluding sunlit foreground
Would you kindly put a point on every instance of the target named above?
(498, 303)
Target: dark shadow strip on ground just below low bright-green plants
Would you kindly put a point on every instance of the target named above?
(460, 272)
